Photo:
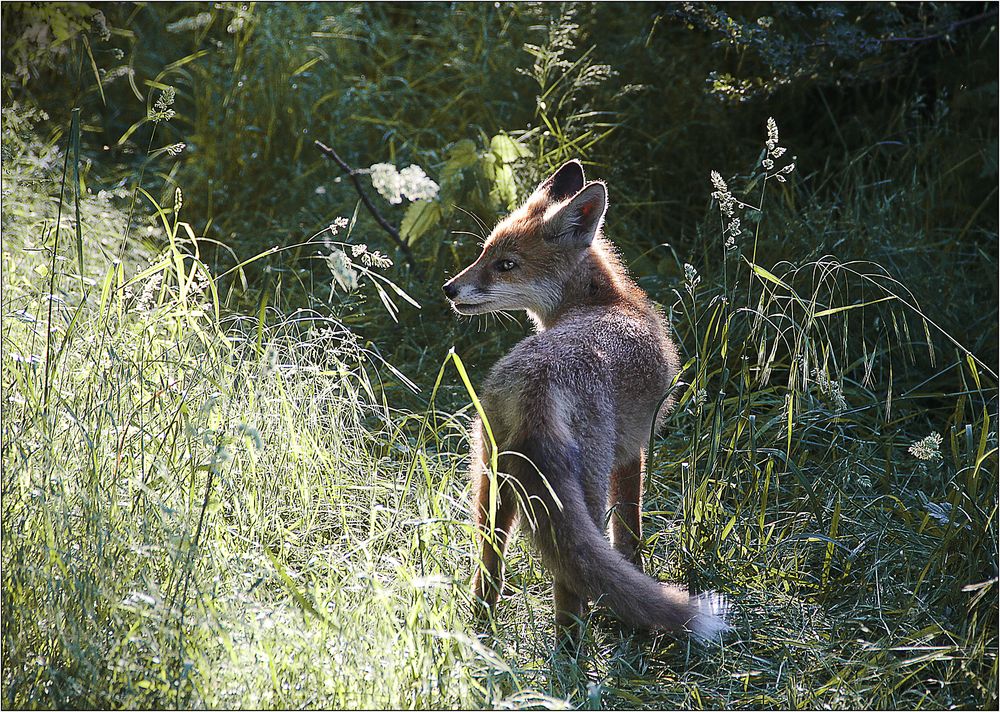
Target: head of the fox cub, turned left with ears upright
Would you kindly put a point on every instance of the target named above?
(531, 253)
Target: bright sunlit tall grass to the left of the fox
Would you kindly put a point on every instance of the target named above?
(211, 512)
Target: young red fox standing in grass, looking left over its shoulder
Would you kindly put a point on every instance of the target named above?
(570, 409)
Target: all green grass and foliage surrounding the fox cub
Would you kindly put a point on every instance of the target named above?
(233, 438)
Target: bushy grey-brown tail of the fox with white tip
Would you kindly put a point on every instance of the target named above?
(581, 557)
